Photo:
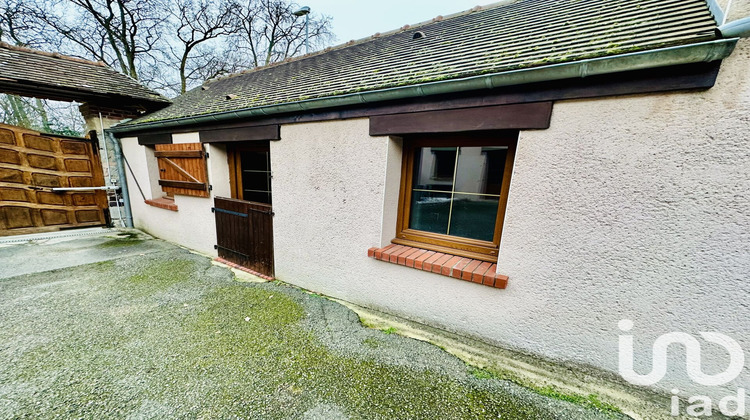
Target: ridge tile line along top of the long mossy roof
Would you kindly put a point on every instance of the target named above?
(361, 41)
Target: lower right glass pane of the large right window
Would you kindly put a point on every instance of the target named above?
(474, 216)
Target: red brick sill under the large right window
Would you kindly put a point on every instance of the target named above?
(475, 271)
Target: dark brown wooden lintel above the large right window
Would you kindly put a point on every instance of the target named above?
(535, 115)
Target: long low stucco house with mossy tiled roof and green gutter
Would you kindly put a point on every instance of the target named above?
(529, 173)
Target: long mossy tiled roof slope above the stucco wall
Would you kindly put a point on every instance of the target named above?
(485, 40)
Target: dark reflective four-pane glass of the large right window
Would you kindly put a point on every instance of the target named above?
(463, 203)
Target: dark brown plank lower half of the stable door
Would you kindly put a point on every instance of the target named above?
(244, 233)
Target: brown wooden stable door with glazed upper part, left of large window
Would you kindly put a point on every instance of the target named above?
(244, 223)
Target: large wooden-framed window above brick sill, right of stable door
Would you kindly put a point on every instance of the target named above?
(454, 191)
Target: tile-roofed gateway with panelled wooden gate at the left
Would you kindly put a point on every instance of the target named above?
(31, 163)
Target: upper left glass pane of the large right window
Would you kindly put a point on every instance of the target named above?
(434, 168)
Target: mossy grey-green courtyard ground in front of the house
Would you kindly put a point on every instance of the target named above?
(168, 334)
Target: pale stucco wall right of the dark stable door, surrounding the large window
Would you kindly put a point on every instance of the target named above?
(629, 207)
